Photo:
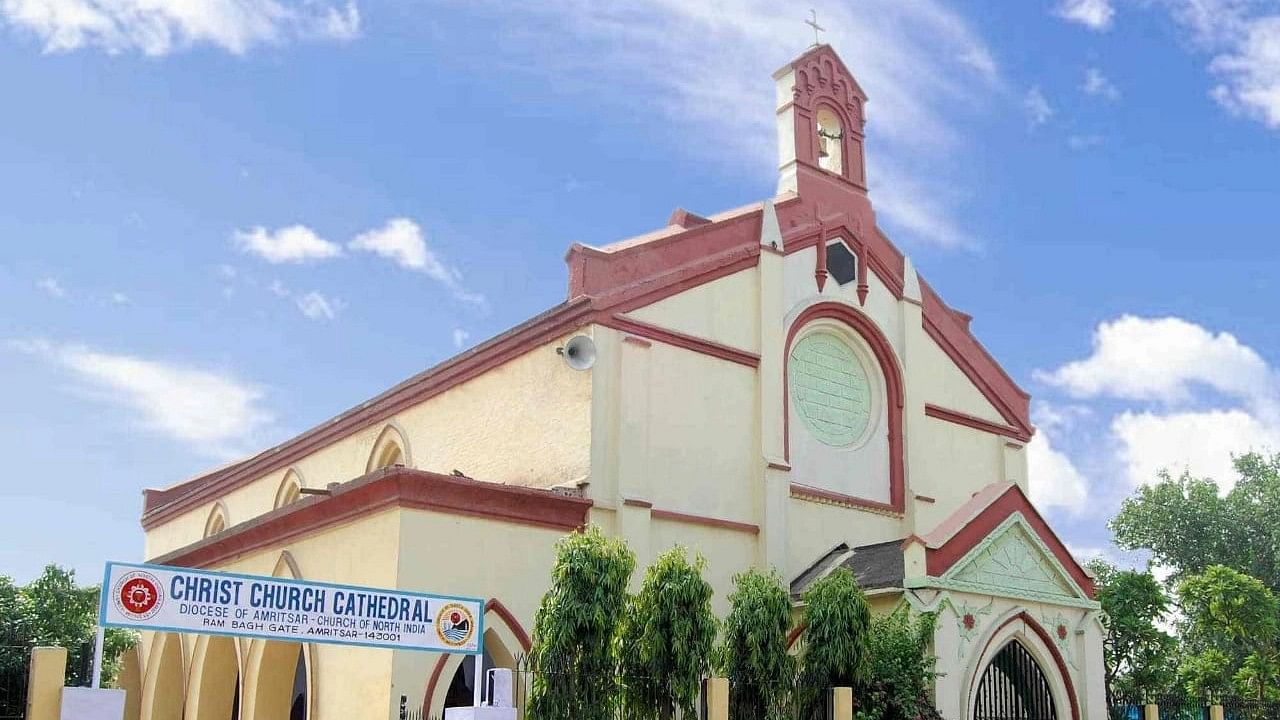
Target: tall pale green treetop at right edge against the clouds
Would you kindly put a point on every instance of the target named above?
(1188, 526)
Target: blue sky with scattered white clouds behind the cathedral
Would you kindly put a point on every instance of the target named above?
(228, 222)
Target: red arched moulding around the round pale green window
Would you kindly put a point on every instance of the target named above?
(884, 353)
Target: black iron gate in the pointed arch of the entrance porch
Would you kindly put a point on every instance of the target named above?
(1014, 689)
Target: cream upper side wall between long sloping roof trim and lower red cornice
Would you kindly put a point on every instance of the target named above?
(524, 423)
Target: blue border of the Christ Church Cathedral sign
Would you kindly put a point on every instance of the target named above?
(106, 593)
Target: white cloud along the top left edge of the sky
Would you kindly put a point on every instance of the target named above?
(162, 28)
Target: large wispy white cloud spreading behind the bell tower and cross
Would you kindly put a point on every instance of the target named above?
(707, 67)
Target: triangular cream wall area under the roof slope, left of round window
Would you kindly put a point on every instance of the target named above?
(720, 312)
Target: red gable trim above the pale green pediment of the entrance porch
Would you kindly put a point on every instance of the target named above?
(940, 559)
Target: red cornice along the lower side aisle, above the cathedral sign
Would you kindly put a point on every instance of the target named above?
(392, 487)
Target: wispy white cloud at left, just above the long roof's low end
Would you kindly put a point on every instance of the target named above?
(212, 412)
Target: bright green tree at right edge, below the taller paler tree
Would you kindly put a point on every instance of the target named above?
(1240, 618)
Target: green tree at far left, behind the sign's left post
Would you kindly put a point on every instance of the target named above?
(54, 610)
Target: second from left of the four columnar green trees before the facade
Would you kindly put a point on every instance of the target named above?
(668, 637)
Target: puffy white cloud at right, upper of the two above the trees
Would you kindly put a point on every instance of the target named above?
(1163, 359)
